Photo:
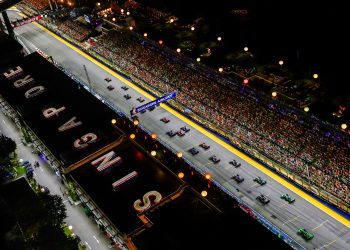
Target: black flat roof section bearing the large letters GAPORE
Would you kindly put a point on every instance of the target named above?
(60, 91)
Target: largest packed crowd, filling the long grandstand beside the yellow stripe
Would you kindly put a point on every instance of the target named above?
(287, 138)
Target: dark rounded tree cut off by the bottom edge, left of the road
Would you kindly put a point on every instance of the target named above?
(52, 237)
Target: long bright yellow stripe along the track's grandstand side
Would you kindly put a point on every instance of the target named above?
(276, 177)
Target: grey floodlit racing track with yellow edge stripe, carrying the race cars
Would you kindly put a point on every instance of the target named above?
(331, 230)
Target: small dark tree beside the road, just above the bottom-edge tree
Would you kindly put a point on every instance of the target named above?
(56, 210)
